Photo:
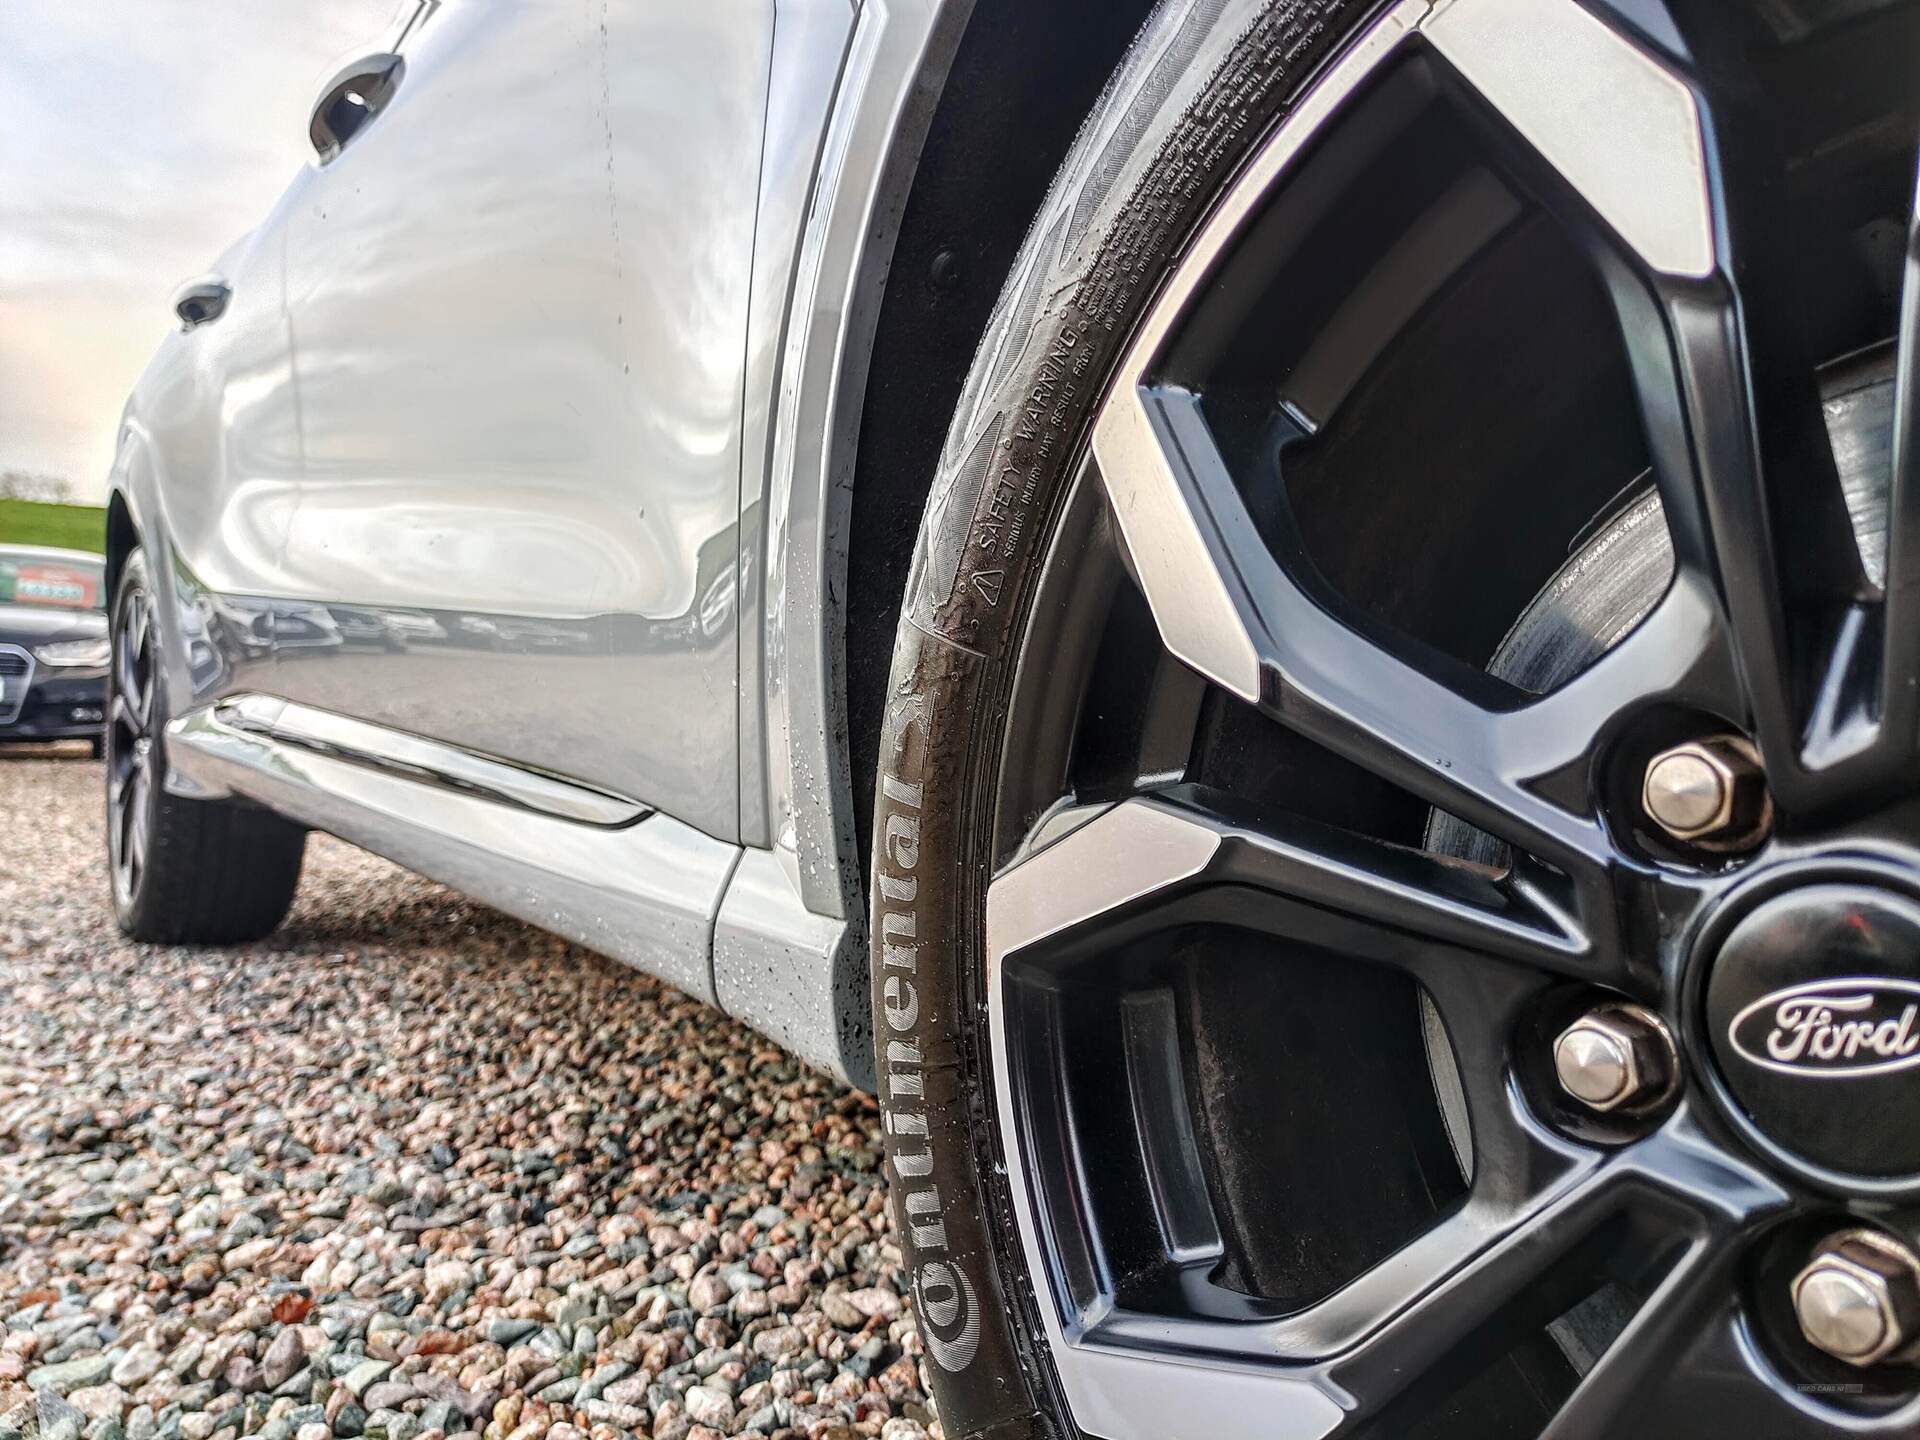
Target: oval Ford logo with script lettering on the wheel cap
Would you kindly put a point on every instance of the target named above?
(1833, 1028)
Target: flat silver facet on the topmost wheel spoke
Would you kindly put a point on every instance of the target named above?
(1602, 112)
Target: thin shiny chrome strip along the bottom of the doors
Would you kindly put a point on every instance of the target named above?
(425, 761)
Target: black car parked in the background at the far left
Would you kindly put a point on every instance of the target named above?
(53, 644)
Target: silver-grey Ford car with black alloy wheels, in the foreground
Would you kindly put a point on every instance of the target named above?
(1293, 629)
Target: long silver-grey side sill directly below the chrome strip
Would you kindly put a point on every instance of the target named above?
(646, 896)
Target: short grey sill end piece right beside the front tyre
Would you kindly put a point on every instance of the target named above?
(798, 978)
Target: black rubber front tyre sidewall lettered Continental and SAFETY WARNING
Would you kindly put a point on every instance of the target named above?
(1203, 84)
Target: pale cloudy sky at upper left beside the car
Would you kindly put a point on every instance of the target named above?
(137, 139)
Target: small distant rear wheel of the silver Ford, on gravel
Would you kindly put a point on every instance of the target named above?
(185, 873)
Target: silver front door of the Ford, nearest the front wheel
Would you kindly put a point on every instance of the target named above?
(517, 304)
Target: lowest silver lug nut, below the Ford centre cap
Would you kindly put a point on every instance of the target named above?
(1860, 1301)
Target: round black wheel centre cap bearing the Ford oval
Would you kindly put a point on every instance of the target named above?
(1813, 1013)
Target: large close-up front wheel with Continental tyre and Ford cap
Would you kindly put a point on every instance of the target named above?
(1397, 869)
